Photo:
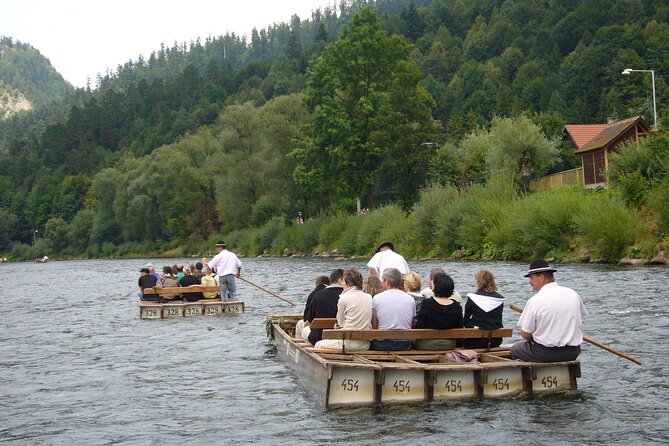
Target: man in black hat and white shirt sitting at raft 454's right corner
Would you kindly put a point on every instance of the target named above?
(552, 321)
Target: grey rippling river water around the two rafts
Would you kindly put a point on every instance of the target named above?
(78, 366)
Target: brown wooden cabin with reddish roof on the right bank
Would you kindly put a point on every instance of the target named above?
(594, 149)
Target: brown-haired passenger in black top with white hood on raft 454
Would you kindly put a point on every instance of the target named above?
(484, 309)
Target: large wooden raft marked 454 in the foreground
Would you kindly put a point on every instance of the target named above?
(340, 378)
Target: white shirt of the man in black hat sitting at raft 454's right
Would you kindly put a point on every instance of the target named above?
(554, 316)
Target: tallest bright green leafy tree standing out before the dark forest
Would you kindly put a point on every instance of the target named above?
(348, 89)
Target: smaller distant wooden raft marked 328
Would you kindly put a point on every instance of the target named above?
(177, 308)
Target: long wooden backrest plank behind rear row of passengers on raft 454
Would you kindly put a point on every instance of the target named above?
(421, 333)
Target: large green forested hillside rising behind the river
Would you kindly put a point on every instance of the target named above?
(213, 135)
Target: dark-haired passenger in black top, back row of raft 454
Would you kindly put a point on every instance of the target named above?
(439, 312)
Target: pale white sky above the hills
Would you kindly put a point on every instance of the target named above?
(82, 38)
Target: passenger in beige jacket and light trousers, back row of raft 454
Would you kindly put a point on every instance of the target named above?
(354, 311)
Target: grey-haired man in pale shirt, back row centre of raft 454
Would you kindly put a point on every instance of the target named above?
(393, 309)
